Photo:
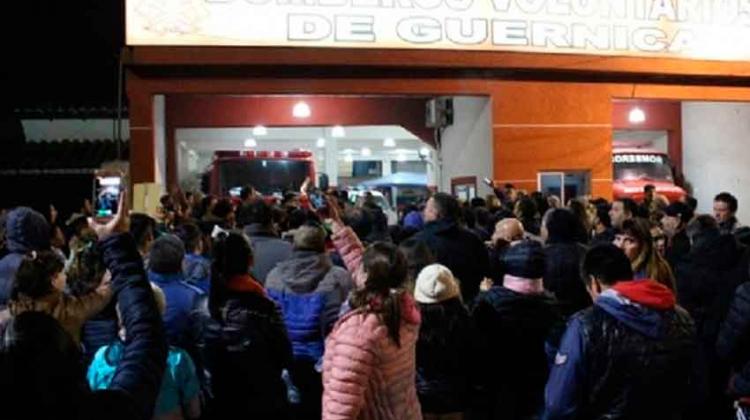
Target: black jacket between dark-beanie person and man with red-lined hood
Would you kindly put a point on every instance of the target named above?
(562, 276)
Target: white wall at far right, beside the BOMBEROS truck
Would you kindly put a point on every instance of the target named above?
(716, 145)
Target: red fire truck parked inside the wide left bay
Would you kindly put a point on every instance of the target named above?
(271, 173)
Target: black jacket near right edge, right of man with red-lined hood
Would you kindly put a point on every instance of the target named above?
(706, 281)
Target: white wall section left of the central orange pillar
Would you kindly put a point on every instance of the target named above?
(467, 144)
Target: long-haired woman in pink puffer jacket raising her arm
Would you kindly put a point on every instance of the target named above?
(369, 363)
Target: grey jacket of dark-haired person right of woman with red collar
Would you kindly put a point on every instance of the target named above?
(268, 250)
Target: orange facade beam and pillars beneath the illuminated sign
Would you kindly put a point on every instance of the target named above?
(547, 123)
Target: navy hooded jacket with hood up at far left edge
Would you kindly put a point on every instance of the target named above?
(25, 230)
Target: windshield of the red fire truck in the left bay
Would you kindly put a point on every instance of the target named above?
(267, 176)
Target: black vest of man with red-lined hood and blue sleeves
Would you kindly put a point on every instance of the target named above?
(631, 375)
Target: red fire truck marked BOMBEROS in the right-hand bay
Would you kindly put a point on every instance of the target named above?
(636, 167)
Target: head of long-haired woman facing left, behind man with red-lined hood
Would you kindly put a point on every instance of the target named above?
(635, 239)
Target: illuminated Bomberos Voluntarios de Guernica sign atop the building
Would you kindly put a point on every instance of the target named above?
(698, 29)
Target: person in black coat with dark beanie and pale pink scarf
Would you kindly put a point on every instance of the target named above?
(517, 319)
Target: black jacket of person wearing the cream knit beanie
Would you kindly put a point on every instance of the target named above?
(445, 368)
